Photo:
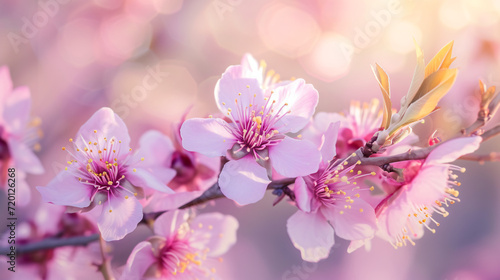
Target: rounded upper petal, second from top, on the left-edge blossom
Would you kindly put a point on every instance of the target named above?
(17, 110)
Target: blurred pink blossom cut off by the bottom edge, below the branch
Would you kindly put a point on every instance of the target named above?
(182, 248)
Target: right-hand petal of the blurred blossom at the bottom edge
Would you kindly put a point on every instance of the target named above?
(217, 233)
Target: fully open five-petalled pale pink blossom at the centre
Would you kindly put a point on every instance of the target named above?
(254, 137)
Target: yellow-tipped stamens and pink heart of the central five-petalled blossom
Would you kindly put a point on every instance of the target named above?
(256, 125)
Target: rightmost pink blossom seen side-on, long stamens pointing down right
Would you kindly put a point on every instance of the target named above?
(427, 187)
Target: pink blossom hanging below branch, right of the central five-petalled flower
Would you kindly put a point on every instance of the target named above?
(329, 201)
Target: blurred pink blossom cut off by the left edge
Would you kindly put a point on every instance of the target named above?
(17, 136)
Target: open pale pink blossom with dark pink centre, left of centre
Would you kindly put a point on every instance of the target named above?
(104, 177)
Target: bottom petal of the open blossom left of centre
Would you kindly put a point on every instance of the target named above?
(123, 218)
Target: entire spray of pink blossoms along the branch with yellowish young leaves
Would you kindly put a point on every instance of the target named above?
(359, 175)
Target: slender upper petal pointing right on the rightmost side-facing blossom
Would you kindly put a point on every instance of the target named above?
(451, 150)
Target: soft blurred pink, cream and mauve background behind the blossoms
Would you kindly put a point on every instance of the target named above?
(77, 56)
